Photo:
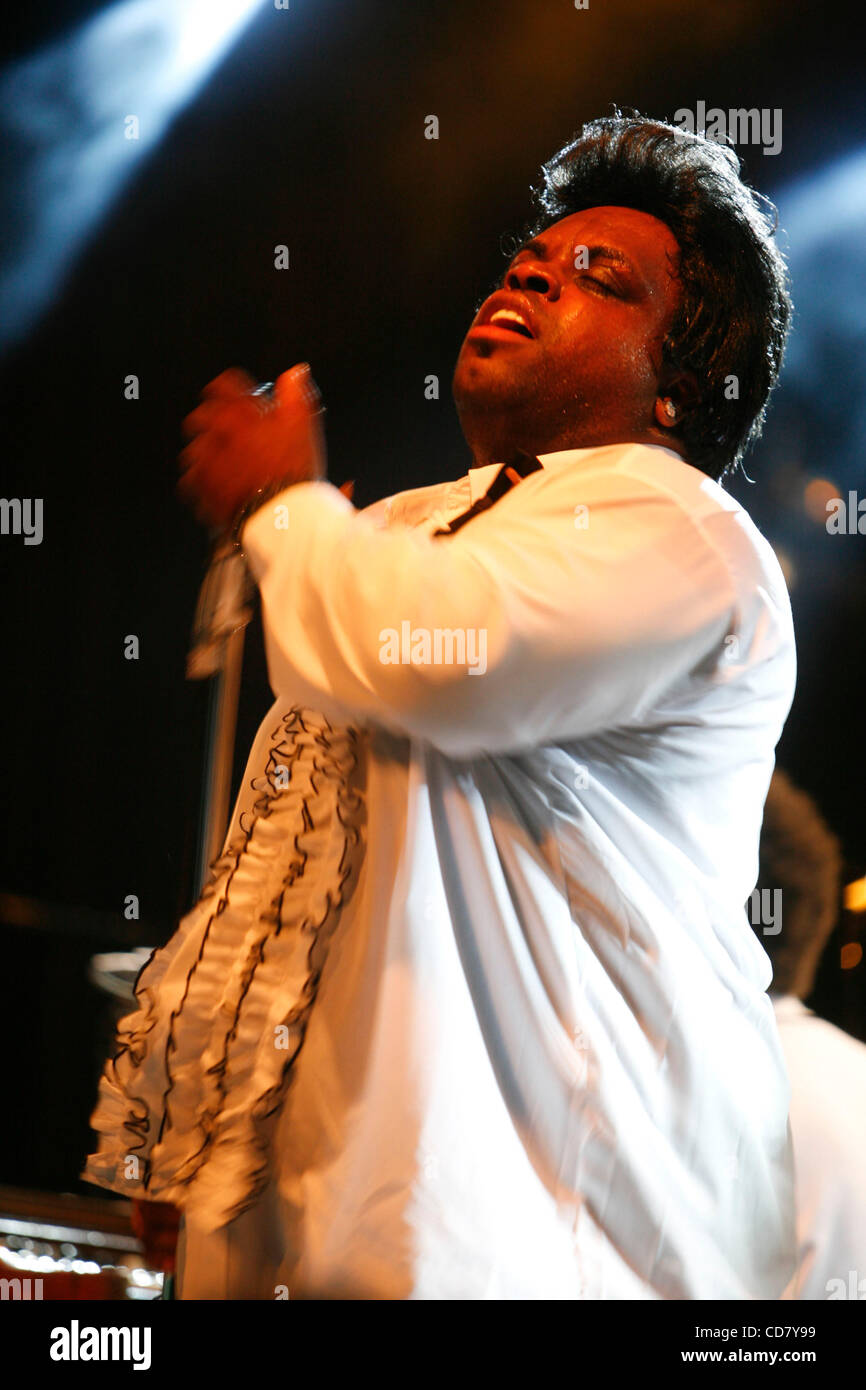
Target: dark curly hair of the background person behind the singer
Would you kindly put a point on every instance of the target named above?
(801, 857)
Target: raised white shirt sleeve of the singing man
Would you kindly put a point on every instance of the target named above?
(565, 610)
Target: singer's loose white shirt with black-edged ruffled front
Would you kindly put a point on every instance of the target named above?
(540, 1061)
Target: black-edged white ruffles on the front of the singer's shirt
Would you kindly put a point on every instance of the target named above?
(187, 1106)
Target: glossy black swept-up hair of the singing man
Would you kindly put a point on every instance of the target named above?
(736, 305)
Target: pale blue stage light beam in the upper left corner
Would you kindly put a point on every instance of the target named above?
(81, 116)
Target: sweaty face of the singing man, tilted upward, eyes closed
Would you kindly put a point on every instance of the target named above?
(569, 350)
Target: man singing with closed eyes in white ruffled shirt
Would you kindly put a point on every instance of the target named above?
(472, 1007)
